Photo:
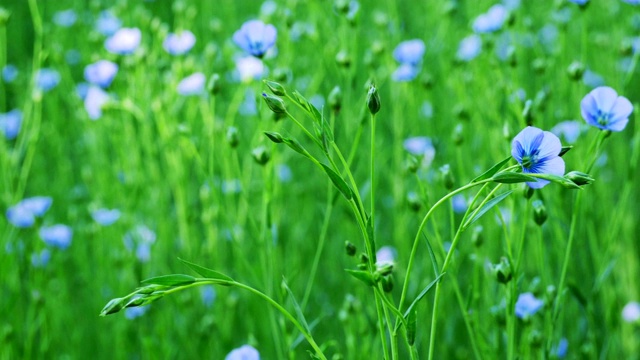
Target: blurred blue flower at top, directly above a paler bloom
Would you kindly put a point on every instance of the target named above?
(255, 37)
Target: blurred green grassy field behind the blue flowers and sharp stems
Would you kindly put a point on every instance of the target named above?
(162, 160)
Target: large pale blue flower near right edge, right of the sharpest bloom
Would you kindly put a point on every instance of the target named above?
(604, 109)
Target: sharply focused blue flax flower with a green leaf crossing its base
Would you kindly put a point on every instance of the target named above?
(537, 152)
